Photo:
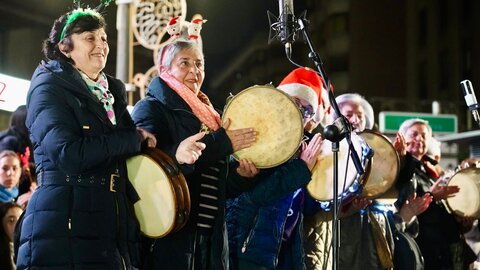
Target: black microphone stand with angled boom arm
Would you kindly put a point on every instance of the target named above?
(335, 135)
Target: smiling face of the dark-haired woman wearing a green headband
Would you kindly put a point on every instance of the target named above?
(90, 51)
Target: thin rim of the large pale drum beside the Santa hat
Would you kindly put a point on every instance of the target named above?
(300, 133)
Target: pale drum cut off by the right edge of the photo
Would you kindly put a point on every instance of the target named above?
(466, 203)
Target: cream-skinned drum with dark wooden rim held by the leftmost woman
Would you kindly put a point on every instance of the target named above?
(164, 204)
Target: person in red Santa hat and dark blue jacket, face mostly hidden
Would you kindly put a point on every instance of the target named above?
(265, 223)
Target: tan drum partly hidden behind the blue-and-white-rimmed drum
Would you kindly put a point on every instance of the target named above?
(384, 165)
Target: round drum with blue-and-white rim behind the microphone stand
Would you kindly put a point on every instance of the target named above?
(349, 181)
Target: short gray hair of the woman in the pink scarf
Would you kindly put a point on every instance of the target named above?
(171, 49)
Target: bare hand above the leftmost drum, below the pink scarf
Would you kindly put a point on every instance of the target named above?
(189, 150)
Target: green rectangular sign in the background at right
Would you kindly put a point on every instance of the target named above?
(389, 122)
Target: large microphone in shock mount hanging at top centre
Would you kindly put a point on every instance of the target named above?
(284, 26)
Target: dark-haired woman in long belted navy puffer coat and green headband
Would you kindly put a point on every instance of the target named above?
(81, 215)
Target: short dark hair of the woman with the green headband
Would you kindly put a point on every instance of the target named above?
(82, 24)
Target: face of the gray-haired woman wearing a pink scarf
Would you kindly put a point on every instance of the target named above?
(188, 68)
